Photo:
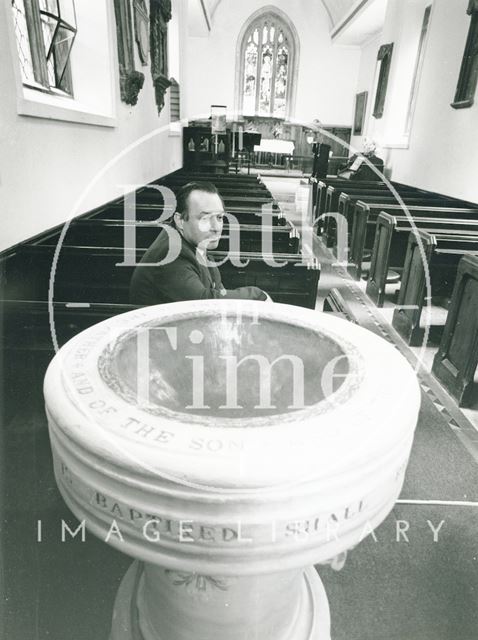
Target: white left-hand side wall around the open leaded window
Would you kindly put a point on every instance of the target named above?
(46, 165)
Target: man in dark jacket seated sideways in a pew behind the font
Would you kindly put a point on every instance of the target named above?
(181, 250)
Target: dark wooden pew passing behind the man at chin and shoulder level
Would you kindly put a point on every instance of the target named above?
(101, 233)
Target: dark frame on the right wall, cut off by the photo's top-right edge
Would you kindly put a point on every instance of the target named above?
(468, 79)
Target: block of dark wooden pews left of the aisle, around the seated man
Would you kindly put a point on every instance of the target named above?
(84, 268)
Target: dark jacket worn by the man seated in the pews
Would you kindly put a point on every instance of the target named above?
(182, 279)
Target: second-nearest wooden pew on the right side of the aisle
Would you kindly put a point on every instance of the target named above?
(442, 254)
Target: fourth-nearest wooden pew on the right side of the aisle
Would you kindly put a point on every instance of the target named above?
(365, 220)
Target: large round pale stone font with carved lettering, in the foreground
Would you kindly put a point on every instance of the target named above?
(228, 448)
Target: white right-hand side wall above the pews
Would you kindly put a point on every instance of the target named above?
(442, 153)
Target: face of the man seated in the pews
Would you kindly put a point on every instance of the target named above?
(203, 226)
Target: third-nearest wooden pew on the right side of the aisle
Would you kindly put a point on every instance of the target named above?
(391, 243)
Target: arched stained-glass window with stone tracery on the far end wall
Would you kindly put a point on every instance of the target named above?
(267, 63)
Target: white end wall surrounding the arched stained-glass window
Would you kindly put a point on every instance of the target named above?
(327, 74)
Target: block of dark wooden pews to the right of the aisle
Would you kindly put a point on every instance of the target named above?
(390, 233)
